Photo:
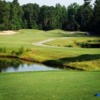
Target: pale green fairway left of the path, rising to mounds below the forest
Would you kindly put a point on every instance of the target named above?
(27, 37)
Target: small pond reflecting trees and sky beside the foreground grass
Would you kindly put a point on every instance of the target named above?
(16, 65)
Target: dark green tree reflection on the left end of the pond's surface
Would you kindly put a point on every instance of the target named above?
(5, 63)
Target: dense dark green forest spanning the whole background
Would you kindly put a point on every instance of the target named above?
(75, 17)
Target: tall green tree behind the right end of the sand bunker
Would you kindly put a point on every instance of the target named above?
(16, 15)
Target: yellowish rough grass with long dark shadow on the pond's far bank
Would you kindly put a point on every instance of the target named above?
(84, 61)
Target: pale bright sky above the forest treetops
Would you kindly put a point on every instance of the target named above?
(51, 2)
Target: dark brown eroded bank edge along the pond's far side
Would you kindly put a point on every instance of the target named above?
(51, 63)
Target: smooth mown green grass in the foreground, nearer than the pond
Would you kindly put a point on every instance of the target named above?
(53, 85)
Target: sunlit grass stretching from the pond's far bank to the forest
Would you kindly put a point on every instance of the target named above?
(78, 58)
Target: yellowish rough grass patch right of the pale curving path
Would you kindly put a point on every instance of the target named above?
(73, 41)
